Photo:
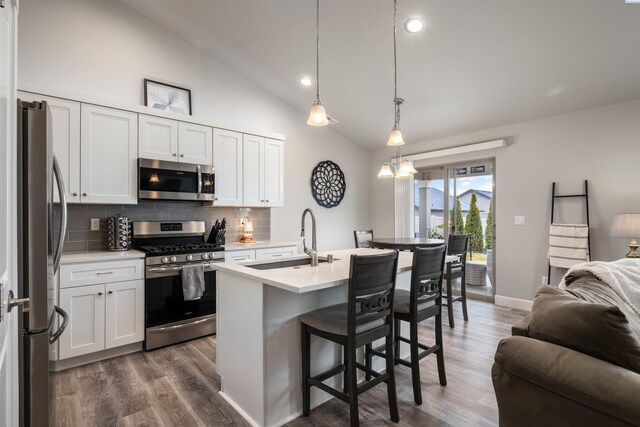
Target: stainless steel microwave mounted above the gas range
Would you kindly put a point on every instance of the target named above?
(162, 180)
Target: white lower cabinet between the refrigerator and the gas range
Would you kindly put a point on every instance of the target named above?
(101, 315)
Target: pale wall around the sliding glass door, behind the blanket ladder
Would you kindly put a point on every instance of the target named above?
(601, 145)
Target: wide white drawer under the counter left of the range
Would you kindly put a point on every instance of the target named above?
(103, 272)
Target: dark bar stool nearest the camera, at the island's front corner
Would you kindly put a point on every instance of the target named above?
(366, 317)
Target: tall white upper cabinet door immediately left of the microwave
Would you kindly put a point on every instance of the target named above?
(109, 152)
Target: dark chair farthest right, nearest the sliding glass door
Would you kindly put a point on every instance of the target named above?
(457, 270)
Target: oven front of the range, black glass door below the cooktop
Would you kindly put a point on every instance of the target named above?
(168, 317)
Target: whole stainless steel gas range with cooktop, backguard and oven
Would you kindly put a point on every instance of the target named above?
(169, 245)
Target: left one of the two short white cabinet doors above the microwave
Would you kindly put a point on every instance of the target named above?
(157, 138)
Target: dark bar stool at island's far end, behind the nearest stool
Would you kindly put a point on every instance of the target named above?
(423, 301)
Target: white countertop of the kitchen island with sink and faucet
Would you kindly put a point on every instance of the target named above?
(307, 278)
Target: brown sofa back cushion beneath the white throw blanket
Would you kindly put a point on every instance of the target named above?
(599, 330)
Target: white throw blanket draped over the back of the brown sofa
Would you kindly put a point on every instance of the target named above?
(622, 276)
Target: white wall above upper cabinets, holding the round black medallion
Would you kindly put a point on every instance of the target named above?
(104, 49)
